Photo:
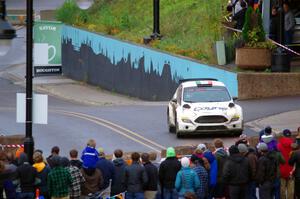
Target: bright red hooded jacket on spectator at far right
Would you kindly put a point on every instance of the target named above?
(284, 146)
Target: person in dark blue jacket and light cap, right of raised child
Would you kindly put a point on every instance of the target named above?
(107, 169)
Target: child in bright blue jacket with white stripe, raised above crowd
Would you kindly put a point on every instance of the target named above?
(90, 155)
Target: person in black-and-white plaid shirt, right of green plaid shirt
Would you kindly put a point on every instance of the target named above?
(77, 178)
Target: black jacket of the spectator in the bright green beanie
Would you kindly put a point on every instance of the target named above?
(168, 171)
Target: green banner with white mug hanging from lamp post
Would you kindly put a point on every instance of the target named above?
(47, 48)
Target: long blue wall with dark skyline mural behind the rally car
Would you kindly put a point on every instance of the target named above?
(131, 69)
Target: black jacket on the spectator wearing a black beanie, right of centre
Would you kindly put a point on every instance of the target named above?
(236, 170)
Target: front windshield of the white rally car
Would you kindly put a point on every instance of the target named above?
(206, 94)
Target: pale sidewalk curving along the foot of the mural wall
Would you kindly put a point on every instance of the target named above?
(70, 90)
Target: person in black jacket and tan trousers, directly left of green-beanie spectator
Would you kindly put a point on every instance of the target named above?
(152, 172)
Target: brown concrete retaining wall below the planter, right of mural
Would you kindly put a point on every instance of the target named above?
(262, 85)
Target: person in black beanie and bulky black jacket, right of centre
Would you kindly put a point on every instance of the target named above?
(236, 173)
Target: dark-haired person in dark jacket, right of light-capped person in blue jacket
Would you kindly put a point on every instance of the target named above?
(118, 183)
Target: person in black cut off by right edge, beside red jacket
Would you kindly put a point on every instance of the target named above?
(295, 161)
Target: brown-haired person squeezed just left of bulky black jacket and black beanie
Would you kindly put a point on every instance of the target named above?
(221, 157)
